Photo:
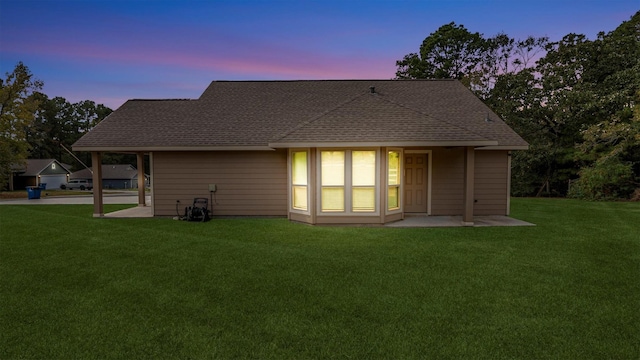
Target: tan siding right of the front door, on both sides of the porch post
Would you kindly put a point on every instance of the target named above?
(491, 182)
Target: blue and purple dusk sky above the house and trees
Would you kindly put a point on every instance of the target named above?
(111, 51)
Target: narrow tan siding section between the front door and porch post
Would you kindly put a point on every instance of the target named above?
(448, 181)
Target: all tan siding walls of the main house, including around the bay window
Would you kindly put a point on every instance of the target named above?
(255, 184)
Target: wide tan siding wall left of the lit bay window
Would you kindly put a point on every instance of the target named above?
(248, 182)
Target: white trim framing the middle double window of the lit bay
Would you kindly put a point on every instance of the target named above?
(347, 184)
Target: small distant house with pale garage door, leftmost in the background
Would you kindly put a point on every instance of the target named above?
(40, 171)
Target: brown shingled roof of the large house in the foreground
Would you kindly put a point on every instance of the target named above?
(269, 114)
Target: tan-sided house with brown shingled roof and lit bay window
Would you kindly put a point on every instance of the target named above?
(320, 152)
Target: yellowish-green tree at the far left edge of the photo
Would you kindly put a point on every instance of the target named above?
(18, 104)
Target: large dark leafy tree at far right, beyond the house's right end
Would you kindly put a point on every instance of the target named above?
(578, 87)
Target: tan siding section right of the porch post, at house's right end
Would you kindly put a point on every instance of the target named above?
(491, 183)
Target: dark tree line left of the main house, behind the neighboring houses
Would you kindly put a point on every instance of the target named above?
(34, 126)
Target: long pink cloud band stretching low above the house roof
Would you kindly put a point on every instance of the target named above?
(267, 61)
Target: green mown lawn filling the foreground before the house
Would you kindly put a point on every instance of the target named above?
(76, 287)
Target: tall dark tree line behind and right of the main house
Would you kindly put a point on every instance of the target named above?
(574, 100)
